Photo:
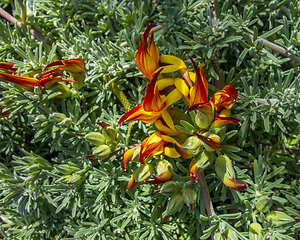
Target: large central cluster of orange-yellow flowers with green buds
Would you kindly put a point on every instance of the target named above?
(171, 81)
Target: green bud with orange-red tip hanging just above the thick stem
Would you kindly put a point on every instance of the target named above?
(199, 163)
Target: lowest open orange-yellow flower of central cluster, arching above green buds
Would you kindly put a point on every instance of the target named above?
(159, 143)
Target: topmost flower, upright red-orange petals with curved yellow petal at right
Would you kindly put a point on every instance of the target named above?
(148, 60)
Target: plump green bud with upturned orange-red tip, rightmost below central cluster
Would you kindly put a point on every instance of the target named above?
(225, 171)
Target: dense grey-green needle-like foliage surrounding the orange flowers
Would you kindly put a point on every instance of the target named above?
(50, 190)
